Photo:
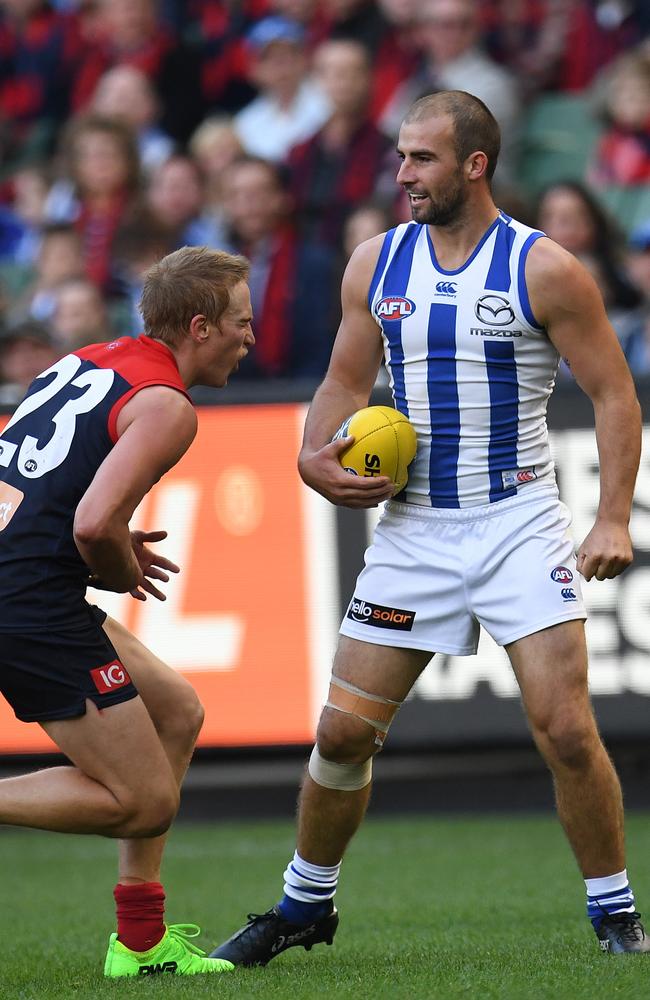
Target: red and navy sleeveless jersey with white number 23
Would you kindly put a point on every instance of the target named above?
(49, 453)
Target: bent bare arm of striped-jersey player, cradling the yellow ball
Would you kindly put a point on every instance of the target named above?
(347, 385)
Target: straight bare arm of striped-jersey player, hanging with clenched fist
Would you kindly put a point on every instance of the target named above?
(566, 300)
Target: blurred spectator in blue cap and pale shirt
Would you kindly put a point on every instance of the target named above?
(290, 107)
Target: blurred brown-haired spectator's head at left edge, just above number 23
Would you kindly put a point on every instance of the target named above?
(26, 350)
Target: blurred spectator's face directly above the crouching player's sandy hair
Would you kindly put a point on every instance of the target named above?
(175, 198)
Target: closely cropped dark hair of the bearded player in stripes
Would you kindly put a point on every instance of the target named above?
(475, 127)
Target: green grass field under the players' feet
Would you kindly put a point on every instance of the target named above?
(430, 908)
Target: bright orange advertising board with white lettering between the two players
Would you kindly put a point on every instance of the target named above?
(251, 619)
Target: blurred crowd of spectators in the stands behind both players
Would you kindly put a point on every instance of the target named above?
(129, 128)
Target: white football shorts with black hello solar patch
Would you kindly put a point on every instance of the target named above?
(433, 576)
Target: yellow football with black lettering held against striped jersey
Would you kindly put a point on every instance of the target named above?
(384, 444)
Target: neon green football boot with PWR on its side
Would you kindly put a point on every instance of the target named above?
(174, 954)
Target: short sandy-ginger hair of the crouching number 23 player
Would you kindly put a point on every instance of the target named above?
(186, 283)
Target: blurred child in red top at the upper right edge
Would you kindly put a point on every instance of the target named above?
(623, 153)
